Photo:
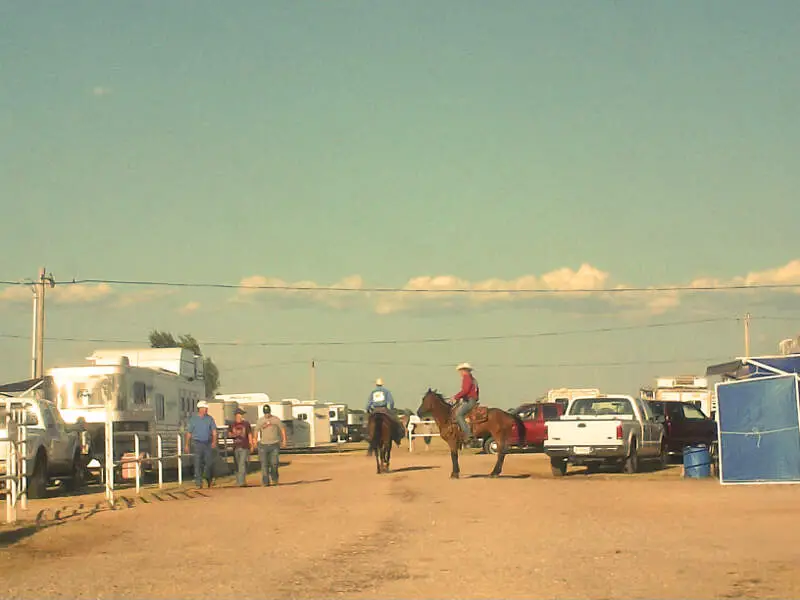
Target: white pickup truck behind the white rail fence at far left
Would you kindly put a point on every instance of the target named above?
(54, 449)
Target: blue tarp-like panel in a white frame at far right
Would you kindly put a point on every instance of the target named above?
(759, 430)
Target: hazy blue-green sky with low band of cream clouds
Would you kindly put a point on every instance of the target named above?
(419, 145)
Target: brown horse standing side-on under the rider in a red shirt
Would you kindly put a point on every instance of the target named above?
(493, 421)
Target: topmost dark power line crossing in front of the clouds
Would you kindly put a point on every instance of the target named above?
(405, 290)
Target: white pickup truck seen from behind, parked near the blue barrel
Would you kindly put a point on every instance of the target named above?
(605, 430)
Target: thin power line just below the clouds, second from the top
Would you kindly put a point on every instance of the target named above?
(435, 340)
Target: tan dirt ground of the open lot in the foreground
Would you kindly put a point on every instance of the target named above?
(336, 529)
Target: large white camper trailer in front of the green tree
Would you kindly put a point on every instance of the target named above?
(151, 391)
